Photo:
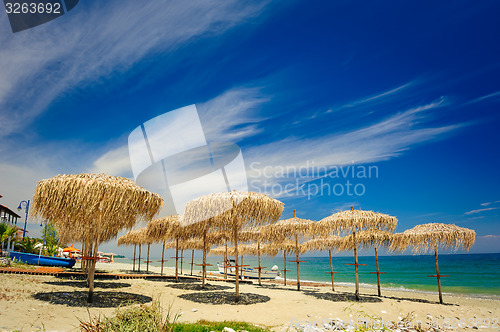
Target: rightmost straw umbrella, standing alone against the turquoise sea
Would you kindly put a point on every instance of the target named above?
(426, 237)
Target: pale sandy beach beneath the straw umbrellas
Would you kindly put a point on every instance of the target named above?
(27, 303)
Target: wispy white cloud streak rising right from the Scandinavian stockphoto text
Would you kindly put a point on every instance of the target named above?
(382, 140)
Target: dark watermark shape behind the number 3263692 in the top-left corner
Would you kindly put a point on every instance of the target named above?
(31, 13)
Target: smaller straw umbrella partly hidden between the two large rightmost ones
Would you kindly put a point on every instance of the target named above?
(370, 238)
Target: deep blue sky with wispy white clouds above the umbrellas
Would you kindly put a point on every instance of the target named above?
(411, 88)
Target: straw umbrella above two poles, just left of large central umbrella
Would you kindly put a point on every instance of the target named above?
(163, 230)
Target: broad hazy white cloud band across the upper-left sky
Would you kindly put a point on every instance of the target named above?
(41, 64)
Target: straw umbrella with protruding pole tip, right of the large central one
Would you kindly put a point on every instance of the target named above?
(294, 228)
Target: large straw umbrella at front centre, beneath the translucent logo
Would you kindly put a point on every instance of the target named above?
(232, 211)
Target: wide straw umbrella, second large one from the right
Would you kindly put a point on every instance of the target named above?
(354, 221)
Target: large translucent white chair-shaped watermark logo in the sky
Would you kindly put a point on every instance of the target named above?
(170, 155)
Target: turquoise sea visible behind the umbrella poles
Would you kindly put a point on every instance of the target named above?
(470, 274)
